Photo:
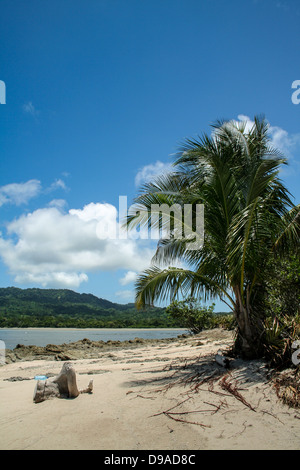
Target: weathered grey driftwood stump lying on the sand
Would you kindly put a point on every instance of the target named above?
(64, 385)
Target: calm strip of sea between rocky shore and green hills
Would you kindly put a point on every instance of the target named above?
(44, 336)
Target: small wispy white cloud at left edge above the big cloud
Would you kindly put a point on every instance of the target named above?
(19, 193)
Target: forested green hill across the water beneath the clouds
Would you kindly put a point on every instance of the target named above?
(66, 308)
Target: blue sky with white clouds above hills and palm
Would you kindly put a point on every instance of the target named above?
(100, 94)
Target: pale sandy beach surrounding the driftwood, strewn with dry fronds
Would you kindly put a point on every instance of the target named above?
(162, 396)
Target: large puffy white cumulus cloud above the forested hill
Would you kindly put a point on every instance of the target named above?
(52, 248)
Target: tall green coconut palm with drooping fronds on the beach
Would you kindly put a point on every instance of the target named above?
(249, 217)
